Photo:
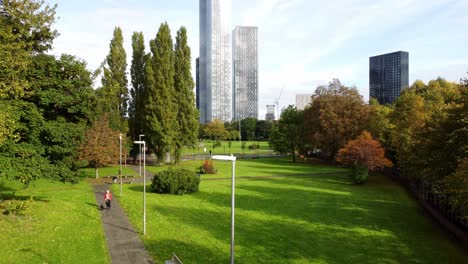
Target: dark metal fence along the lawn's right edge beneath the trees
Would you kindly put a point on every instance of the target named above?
(436, 203)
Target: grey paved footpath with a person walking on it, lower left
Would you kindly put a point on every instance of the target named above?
(123, 242)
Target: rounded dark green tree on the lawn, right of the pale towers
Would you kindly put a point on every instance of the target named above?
(287, 134)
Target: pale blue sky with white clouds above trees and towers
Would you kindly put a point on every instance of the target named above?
(302, 43)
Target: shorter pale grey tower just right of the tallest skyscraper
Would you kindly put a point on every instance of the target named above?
(244, 72)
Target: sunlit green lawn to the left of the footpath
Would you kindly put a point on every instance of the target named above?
(62, 225)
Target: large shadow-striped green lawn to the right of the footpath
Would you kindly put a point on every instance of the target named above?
(321, 218)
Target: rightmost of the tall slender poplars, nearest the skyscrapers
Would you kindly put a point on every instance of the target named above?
(187, 114)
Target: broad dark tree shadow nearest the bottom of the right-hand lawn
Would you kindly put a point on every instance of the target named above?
(271, 241)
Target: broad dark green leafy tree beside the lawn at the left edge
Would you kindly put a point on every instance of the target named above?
(50, 121)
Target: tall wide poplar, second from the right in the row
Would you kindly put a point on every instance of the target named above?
(160, 107)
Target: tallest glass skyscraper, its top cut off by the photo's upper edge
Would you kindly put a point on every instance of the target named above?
(215, 61)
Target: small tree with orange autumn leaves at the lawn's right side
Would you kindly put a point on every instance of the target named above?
(363, 154)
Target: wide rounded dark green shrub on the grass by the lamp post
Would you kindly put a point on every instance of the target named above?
(178, 181)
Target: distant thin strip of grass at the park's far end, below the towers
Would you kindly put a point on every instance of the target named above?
(236, 148)
